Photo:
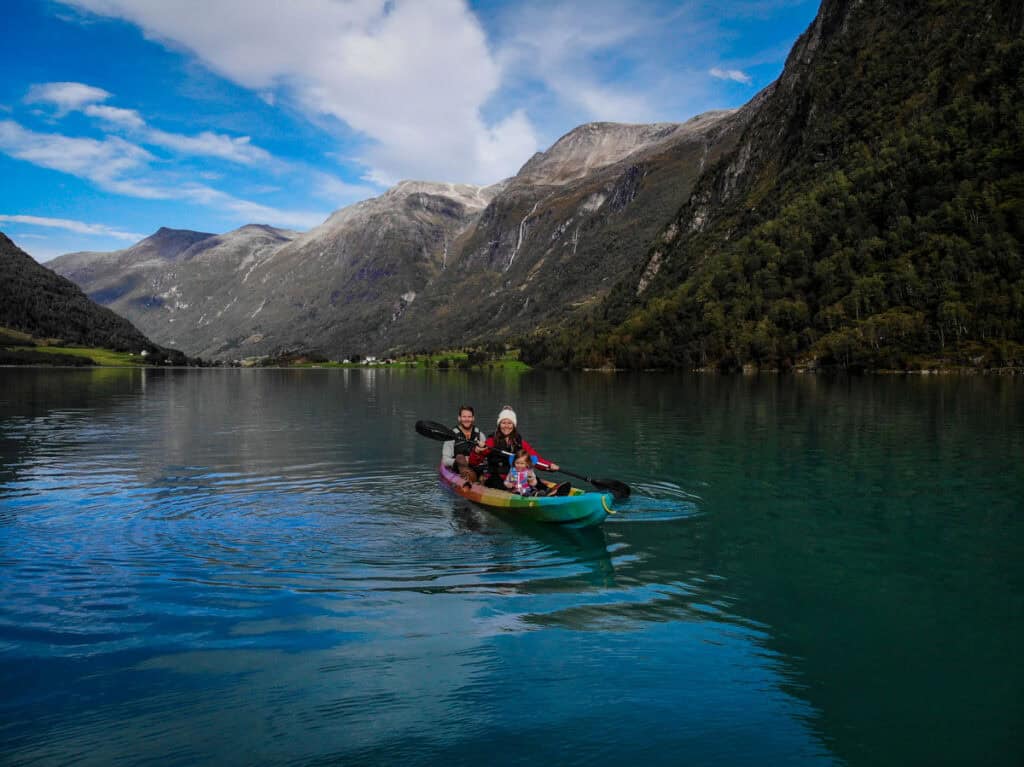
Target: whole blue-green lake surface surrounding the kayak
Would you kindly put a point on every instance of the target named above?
(260, 568)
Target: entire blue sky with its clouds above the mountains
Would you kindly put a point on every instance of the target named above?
(118, 117)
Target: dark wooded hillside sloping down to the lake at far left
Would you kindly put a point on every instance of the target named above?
(36, 302)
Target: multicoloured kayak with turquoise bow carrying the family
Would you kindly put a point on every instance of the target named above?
(578, 507)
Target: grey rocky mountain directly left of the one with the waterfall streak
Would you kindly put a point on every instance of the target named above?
(343, 286)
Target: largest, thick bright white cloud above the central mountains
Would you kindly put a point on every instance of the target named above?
(411, 76)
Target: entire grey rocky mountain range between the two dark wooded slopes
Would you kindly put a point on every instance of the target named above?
(425, 265)
